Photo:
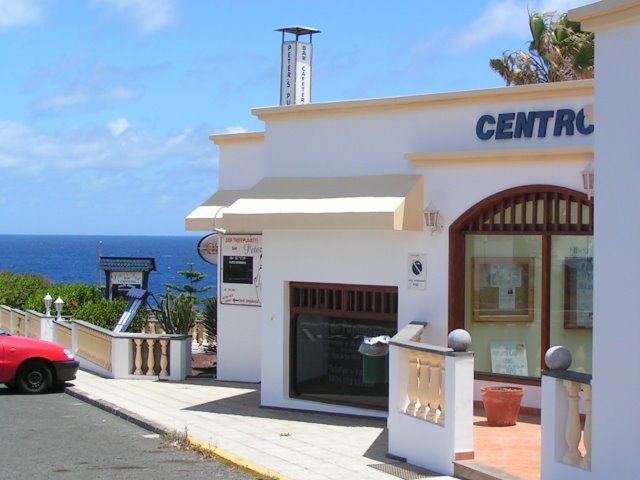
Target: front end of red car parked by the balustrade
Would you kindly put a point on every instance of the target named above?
(34, 366)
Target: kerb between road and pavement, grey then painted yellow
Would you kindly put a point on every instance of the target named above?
(201, 447)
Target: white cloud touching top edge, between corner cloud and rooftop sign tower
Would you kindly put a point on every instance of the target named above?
(147, 15)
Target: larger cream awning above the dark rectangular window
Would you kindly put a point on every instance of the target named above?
(385, 202)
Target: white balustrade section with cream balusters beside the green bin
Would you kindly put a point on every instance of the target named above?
(430, 400)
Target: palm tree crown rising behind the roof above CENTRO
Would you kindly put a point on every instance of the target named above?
(559, 51)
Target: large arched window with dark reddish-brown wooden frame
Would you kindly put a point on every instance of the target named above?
(521, 264)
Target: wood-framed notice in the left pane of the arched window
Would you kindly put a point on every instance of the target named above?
(502, 289)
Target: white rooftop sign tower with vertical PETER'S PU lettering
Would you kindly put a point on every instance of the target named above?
(295, 76)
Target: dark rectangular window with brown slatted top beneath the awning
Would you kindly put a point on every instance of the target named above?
(339, 343)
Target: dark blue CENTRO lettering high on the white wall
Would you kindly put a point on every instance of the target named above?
(524, 124)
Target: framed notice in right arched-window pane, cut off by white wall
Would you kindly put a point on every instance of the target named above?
(578, 292)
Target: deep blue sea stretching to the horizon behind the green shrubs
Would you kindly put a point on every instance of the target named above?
(74, 258)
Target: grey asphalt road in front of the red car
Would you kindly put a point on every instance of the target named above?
(55, 436)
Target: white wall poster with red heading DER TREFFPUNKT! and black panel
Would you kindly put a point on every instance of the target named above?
(241, 270)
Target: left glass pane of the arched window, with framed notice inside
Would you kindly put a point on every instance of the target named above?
(503, 286)
